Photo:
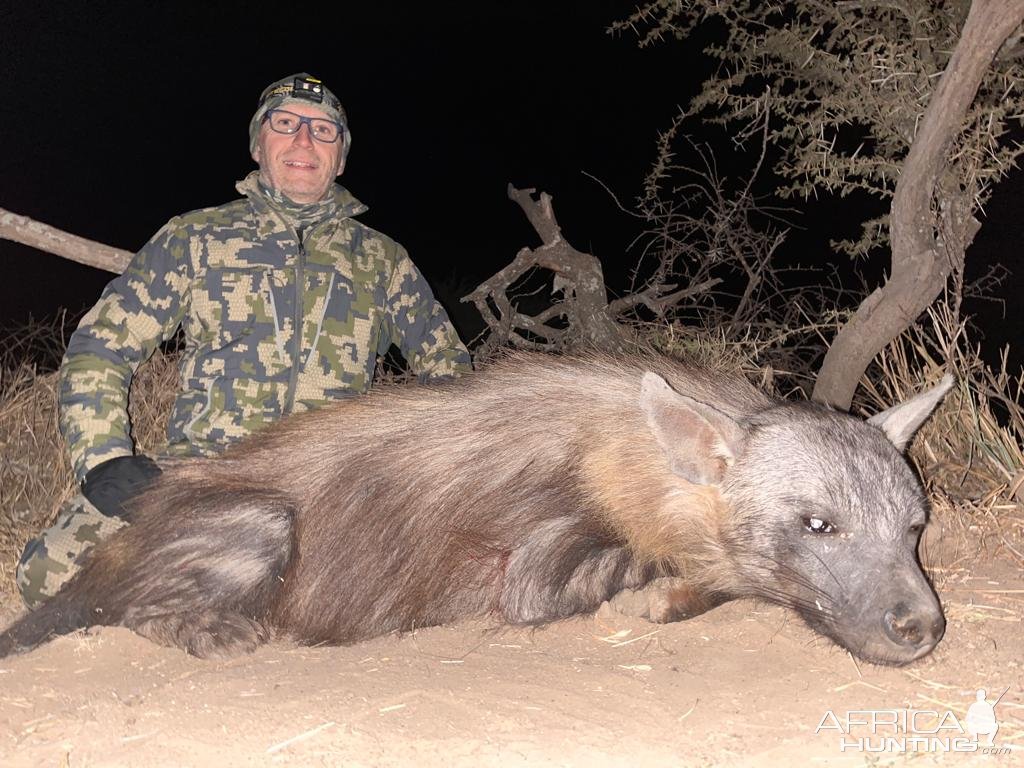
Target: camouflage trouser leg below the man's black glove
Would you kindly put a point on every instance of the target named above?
(53, 558)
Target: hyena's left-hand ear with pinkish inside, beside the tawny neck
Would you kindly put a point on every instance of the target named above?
(700, 441)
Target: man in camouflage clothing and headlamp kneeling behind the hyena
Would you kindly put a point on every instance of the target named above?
(285, 302)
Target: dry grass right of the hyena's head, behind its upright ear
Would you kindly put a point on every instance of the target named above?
(971, 453)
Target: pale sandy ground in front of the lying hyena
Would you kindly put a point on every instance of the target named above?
(745, 685)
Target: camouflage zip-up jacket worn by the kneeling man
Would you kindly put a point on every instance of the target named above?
(272, 325)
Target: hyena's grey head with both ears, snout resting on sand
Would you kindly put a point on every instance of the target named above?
(825, 515)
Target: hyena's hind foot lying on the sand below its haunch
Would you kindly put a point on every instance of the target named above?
(206, 634)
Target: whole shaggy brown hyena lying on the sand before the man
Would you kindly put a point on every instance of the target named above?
(532, 491)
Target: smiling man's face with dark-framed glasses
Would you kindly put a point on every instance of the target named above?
(296, 164)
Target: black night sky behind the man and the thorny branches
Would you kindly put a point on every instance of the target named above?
(117, 117)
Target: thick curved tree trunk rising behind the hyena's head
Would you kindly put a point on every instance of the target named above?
(921, 265)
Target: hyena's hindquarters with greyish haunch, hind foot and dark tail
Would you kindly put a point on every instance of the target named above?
(202, 580)
